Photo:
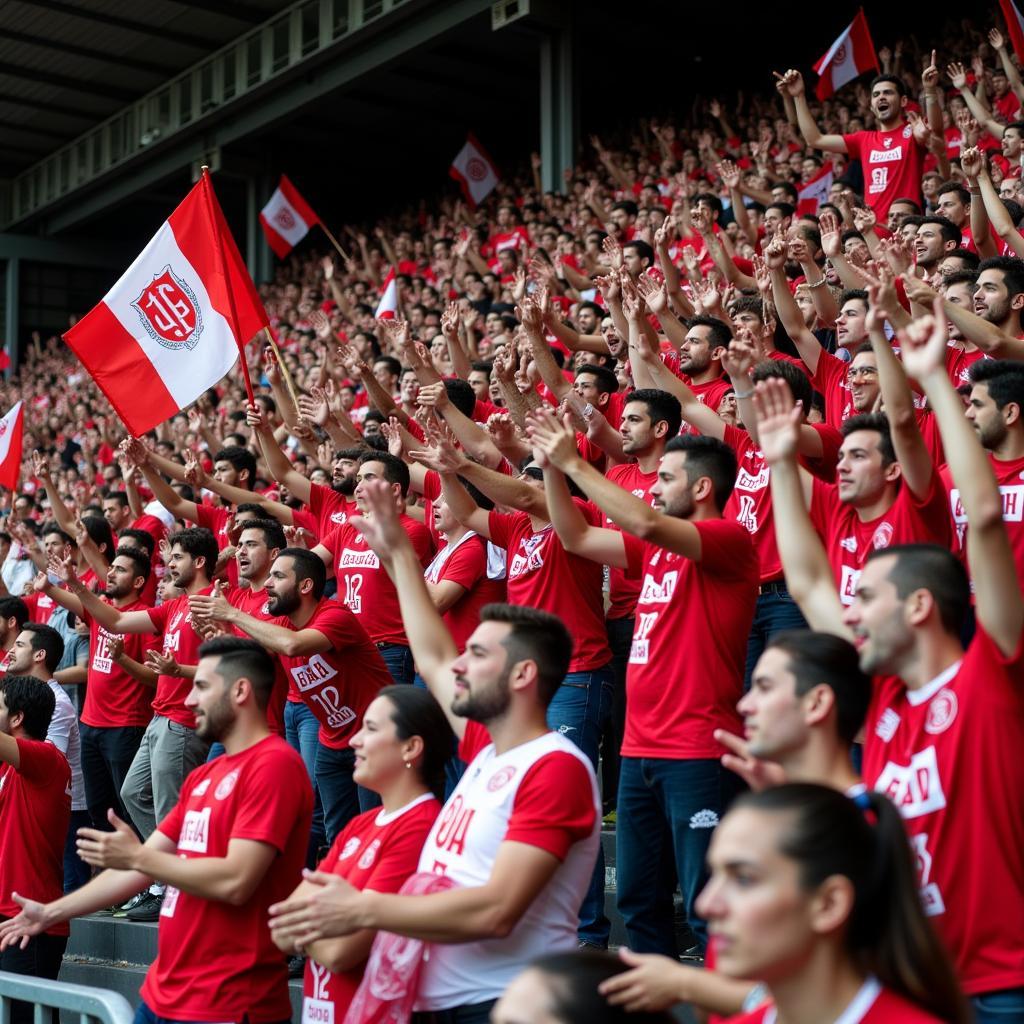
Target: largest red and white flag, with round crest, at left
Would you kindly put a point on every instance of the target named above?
(177, 321)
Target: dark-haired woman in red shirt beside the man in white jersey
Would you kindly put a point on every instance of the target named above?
(400, 754)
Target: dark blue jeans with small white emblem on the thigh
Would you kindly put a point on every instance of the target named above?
(667, 814)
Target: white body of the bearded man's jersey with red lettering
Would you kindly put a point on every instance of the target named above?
(463, 845)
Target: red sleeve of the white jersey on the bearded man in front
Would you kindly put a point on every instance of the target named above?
(554, 806)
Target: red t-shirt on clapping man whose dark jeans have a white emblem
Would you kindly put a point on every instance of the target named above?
(690, 645)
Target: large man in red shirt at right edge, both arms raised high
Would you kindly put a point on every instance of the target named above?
(946, 726)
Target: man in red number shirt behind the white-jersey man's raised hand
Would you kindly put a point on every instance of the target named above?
(364, 587)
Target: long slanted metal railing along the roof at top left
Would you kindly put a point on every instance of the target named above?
(289, 38)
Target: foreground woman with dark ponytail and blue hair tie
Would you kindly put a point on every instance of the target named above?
(817, 895)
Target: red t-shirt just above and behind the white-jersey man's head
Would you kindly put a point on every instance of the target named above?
(542, 574)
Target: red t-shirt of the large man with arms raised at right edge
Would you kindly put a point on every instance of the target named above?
(949, 754)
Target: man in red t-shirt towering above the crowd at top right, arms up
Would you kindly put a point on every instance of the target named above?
(893, 157)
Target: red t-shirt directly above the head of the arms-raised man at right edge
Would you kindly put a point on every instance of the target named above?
(849, 540)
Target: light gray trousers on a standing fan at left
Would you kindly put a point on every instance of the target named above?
(168, 753)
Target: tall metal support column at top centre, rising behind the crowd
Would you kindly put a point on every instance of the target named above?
(560, 113)
